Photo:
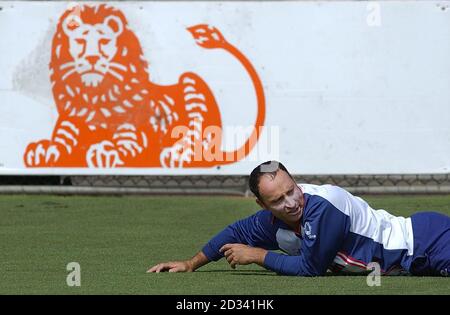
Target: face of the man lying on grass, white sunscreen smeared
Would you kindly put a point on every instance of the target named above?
(282, 196)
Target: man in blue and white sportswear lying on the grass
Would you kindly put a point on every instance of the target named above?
(324, 228)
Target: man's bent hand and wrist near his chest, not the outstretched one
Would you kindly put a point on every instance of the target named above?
(239, 254)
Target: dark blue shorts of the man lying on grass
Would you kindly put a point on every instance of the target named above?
(431, 244)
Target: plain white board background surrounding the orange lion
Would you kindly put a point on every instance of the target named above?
(351, 87)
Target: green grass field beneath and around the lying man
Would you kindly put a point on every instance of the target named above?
(116, 239)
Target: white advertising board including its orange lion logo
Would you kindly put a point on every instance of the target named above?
(146, 87)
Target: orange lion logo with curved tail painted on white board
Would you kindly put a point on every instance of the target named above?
(112, 115)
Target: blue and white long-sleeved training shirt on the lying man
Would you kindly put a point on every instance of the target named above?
(338, 232)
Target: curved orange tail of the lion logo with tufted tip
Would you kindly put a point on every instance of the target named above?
(210, 38)
